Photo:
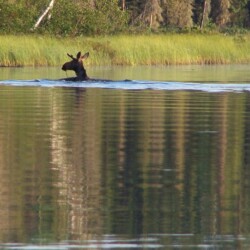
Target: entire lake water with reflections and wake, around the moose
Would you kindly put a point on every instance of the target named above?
(161, 162)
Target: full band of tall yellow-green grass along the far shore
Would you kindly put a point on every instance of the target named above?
(126, 50)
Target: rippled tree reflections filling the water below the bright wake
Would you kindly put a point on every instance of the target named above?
(110, 161)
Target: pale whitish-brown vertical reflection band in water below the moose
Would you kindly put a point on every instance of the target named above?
(76, 158)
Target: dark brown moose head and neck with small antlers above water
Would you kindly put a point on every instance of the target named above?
(76, 64)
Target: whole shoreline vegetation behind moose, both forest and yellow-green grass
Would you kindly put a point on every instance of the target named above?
(125, 32)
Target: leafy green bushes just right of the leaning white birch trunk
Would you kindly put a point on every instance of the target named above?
(74, 20)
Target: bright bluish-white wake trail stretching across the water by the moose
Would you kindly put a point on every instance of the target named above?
(135, 85)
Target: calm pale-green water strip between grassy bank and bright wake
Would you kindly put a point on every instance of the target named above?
(183, 73)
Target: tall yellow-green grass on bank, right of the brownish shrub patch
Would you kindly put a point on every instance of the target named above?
(181, 49)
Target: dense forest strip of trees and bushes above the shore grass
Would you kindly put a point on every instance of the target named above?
(99, 17)
